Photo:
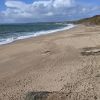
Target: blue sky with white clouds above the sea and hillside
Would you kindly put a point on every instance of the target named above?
(26, 11)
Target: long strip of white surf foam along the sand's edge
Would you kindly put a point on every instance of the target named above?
(12, 39)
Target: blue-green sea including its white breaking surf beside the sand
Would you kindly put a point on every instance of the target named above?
(13, 32)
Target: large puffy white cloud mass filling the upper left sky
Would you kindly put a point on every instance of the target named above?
(38, 10)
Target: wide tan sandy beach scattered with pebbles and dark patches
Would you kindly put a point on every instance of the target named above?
(60, 66)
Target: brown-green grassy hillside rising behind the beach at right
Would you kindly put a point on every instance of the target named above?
(95, 20)
